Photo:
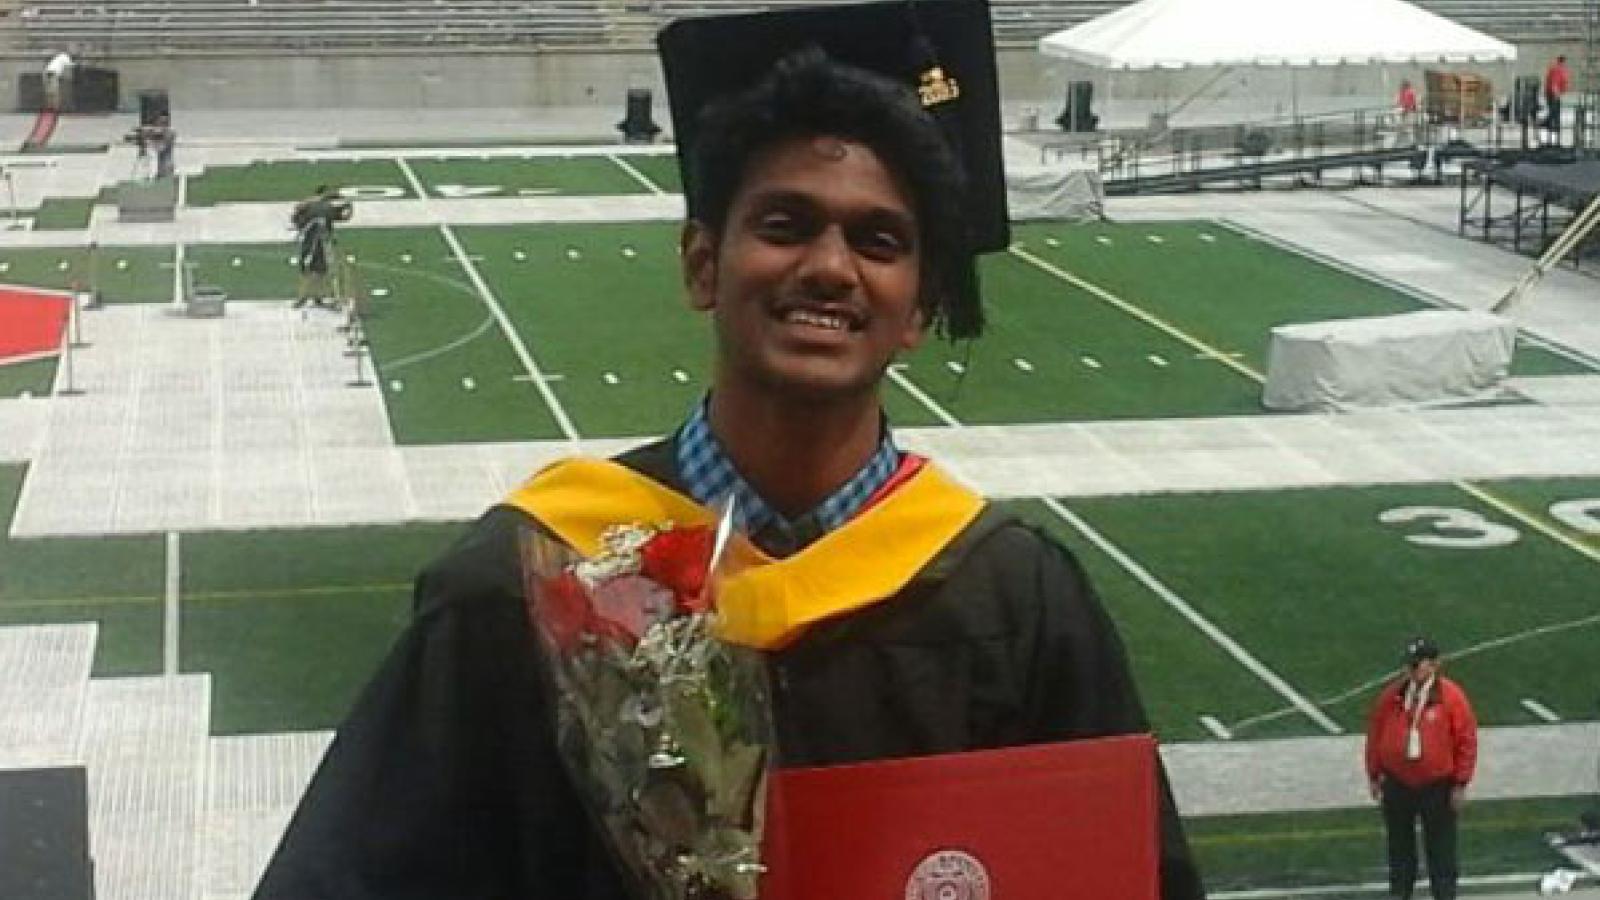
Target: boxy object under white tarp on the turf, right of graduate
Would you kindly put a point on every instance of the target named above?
(1386, 361)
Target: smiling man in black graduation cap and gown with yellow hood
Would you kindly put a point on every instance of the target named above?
(830, 231)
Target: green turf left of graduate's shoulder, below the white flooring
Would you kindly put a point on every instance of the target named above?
(289, 624)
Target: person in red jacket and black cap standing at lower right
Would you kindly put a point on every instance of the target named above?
(1422, 752)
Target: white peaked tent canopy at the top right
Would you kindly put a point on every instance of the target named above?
(1177, 34)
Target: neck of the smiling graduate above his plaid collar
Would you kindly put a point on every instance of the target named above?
(796, 454)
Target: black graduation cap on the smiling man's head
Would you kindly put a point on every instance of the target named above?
(940, 49)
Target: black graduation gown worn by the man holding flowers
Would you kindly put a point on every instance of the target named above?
(446, 781)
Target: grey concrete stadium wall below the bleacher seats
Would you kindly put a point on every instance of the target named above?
(417, 81)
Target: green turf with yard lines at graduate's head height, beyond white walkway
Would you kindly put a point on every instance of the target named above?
(1087, 324)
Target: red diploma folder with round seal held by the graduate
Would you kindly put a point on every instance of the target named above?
(1046, 822)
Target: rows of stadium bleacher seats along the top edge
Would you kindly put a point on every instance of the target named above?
(207, 26)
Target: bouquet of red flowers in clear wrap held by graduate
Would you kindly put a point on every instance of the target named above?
(665, 728)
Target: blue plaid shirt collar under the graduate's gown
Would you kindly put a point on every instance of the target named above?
(710, 476)
